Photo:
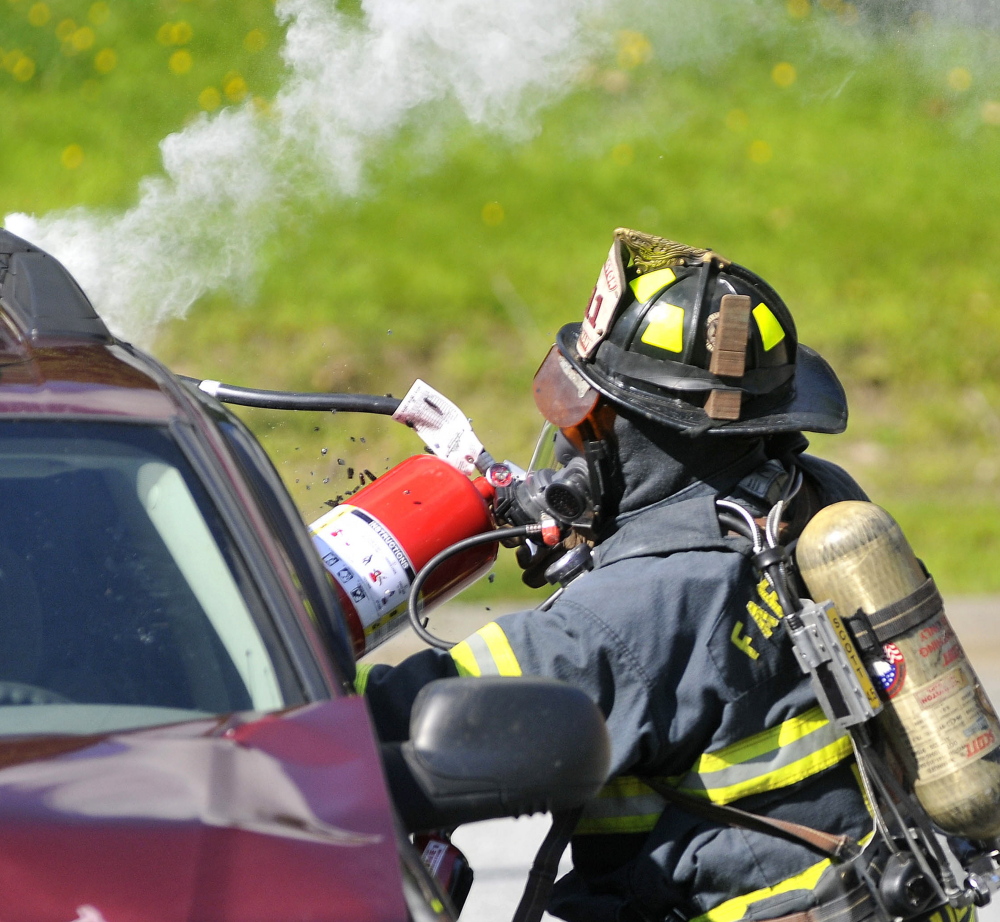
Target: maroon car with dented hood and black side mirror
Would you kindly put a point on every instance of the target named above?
(179, 733)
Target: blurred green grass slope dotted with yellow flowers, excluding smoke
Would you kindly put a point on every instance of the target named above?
(864, 190)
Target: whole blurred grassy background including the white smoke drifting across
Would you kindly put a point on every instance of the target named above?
(342, 196)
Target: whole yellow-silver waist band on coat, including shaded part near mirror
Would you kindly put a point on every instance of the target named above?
(767, 761)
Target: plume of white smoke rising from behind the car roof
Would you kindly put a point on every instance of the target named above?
(351, 82)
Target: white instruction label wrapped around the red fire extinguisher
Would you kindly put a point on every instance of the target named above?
(368, 562)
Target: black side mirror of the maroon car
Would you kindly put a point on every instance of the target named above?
(490, 747)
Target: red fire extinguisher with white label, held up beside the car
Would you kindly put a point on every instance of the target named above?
(374, 546)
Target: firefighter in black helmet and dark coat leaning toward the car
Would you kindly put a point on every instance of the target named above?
(685, 384)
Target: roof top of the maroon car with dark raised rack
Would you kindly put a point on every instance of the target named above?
(56, 354)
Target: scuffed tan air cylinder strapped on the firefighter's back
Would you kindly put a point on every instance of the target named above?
(937, 721)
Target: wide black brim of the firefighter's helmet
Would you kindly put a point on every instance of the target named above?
(814, 400)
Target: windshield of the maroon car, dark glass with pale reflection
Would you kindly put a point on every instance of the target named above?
(122, 602)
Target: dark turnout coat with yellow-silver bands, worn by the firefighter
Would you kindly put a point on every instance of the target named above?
(679, 641)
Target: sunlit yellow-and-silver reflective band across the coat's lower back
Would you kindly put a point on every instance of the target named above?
(767, 761)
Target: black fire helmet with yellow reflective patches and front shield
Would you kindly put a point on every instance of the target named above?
(686, 338)
